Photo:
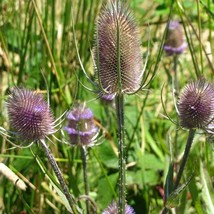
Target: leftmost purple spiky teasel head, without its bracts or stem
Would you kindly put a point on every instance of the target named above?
(29, 115)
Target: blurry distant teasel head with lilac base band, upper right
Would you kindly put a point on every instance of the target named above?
(175, 43)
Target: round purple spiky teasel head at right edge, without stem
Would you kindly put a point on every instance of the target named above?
(196, 105)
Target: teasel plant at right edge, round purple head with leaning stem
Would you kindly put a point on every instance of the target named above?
(195, 110)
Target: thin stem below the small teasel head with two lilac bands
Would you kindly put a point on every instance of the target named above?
(85, 176)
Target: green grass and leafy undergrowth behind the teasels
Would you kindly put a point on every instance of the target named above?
(152, 140)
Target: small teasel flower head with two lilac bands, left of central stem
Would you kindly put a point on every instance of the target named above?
(81, 127)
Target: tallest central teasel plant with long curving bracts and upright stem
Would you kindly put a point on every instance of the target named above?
(117, 60)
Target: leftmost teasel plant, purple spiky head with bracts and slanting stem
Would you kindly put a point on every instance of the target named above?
(31, 120)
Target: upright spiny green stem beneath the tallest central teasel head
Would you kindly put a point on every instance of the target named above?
(121, 150)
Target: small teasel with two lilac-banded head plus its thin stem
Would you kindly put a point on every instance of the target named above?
(83, 133)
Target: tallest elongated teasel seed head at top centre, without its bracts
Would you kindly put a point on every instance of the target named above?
(116, 16)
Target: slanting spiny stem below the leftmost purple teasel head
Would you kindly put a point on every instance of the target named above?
(58, 173)
